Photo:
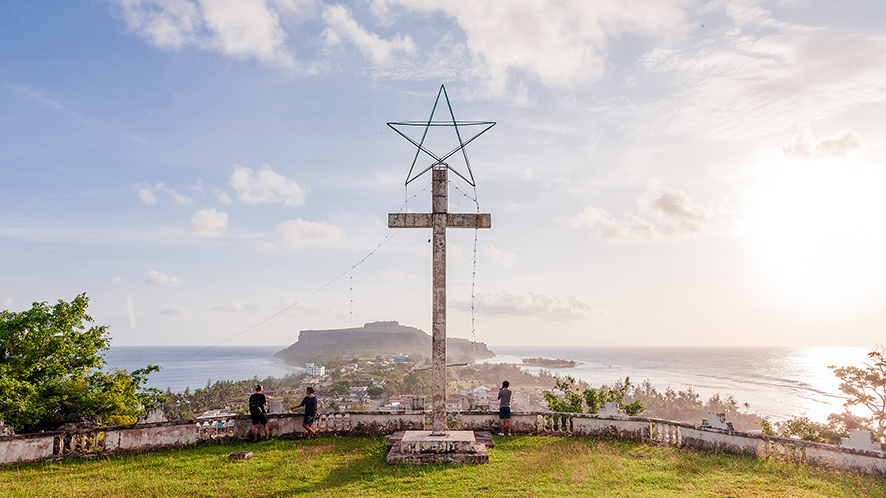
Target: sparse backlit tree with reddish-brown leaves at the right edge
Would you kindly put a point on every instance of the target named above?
(865, 386)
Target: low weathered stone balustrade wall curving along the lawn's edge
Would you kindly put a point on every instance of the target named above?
(870, 458)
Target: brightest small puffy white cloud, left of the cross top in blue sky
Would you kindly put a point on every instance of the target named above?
(266, 186)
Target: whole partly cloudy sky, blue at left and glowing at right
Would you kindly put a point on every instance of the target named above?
(662, 172)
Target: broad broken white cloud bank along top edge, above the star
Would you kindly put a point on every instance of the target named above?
(561, 44)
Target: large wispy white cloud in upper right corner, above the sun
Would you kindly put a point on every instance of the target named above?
(764, 76)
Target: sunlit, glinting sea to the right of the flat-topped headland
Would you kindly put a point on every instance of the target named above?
(776, 382)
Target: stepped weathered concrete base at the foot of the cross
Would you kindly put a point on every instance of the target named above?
(421, 447)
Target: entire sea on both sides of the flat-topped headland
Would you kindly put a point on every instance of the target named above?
(776, 382)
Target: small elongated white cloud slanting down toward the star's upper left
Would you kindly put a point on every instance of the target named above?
(341, 26)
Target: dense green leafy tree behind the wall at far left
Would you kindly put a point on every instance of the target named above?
(50, 369)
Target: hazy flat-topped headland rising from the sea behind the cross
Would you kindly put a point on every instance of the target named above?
(373, 339)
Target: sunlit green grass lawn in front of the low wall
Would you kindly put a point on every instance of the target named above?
(355, 466)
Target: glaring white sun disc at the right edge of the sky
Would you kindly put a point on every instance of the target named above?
(821, 227)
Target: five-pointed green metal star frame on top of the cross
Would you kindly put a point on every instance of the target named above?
(486, 125)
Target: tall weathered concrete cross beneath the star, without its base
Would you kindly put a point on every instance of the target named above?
(439, 219)
